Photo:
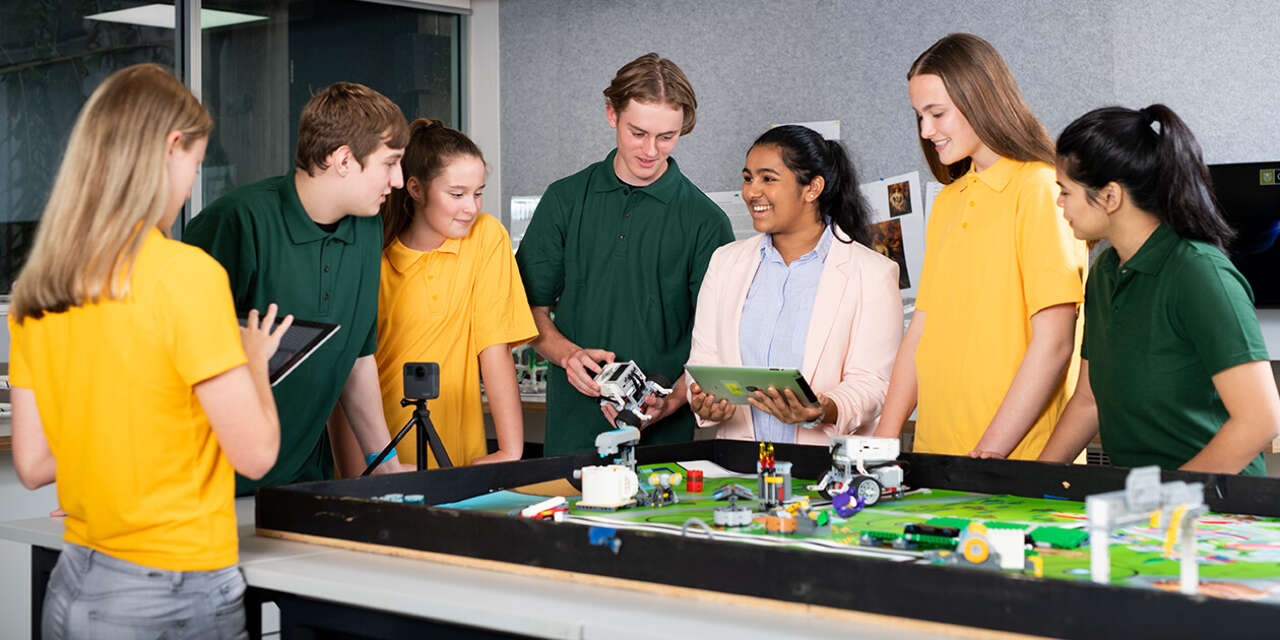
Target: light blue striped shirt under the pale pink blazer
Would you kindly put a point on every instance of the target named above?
(776, 321)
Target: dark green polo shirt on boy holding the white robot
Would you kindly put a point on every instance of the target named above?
(621, 267)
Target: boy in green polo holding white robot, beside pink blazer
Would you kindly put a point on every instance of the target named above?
(619, 252)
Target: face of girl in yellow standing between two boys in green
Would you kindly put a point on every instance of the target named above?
(451, 203)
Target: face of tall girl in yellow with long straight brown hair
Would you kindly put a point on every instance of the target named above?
(943, 124)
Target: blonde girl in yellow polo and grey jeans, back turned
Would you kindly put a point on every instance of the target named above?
(134, 387)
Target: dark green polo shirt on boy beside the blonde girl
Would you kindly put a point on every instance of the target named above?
(275, 253)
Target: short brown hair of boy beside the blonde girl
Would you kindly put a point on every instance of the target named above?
(351, 115)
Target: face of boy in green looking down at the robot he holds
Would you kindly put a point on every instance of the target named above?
(647, 132)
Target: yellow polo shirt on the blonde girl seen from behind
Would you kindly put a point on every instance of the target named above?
(140, 472)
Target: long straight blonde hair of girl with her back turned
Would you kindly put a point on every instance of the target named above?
(111, 190)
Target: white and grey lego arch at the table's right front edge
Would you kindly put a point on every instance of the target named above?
(1167, 506)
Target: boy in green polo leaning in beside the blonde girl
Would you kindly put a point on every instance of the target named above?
(312, 243)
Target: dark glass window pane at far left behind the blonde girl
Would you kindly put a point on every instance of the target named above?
(53, 56)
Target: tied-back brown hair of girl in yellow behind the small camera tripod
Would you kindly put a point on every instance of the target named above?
(431, 148)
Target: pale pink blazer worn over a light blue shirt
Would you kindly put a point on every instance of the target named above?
(854, 333)
